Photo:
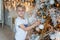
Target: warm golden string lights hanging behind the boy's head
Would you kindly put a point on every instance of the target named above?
(13, 3)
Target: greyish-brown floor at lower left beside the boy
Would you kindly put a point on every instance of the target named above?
(6, 34)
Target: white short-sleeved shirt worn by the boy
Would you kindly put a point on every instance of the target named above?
(20, 33)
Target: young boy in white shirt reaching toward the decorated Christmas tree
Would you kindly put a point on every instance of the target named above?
(21, 24)
